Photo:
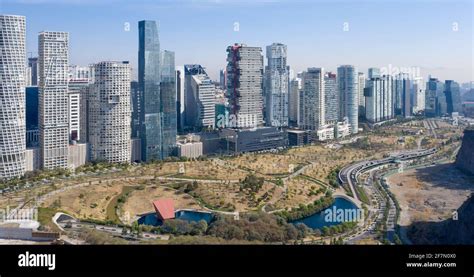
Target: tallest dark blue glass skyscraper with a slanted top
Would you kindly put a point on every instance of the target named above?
(149, 78)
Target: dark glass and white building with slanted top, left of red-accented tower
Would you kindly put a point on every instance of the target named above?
(200, 93)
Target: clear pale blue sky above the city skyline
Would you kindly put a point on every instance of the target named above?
(400, 33)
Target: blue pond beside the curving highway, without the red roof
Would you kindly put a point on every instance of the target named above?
(318, 220)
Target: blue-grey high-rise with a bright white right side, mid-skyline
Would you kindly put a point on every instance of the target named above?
(313, 104)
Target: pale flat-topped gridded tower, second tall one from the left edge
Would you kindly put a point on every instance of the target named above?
(53, 94)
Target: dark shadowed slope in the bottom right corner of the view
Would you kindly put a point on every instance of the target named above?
(460, 231)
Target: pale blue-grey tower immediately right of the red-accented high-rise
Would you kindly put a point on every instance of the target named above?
(276, 86)
